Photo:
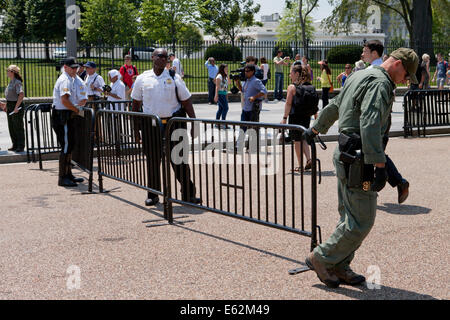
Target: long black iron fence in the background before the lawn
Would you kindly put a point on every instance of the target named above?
(41, 64)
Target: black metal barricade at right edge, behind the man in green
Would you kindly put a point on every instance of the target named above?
(425, 108)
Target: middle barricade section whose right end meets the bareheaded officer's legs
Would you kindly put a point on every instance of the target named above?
(128, 144)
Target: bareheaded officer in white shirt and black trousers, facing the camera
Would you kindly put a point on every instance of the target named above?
(154, 90)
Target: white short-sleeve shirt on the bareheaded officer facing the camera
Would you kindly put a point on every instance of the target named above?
(157, 93)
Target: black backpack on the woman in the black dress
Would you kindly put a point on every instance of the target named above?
(306, 100)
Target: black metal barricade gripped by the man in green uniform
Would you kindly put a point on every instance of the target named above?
(258, 185)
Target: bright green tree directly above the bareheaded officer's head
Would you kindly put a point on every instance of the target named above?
(165, 20)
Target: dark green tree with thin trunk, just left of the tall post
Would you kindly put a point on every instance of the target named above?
(46, 21)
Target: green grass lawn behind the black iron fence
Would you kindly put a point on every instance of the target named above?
(40, 76)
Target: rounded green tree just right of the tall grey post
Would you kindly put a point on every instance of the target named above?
(109, 22)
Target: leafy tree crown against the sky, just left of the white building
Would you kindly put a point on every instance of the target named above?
(224, 19)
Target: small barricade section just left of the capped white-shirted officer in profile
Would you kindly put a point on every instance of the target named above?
(40, 137)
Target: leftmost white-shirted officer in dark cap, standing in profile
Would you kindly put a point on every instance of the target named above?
(65, 97)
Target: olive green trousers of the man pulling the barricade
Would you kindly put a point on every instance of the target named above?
(357, 210)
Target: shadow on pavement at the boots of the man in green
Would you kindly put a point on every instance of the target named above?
(384, 293)
